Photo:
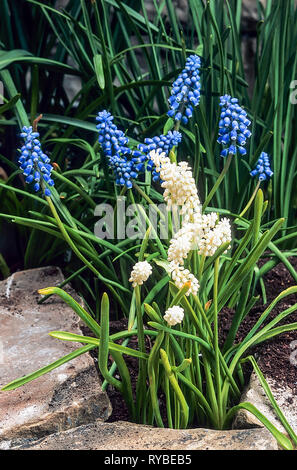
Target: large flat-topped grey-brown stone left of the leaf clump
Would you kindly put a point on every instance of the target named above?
(68, 396)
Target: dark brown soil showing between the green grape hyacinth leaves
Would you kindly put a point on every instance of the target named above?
(273, 356)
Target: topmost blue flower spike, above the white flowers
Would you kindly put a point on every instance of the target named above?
(185, 92)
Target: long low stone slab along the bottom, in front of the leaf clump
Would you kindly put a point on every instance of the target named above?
(128, 436)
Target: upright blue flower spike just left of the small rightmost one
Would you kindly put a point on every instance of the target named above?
(233, 127)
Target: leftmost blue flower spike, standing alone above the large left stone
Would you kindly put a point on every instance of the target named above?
(33, 162)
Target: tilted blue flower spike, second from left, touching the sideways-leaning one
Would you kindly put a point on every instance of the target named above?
(125, 163)
